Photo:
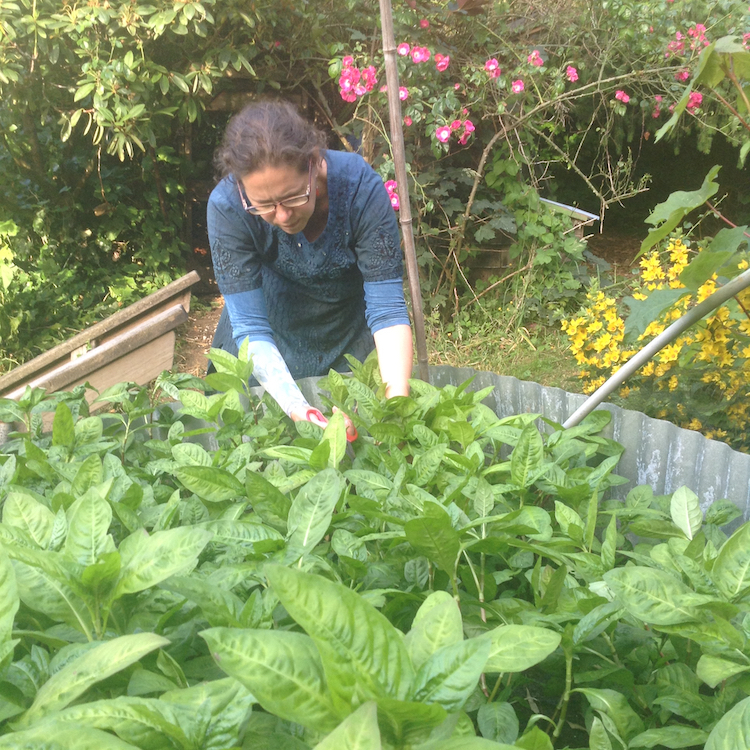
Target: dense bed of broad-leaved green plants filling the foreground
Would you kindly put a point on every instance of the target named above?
(452, 580)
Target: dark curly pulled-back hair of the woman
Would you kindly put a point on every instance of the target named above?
(270, 132)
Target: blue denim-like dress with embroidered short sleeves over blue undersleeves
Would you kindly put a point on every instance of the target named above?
(314, 292)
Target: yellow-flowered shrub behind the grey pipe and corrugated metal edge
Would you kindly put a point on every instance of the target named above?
(701, 380)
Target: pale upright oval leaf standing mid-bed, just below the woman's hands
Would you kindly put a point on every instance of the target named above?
(311, 511)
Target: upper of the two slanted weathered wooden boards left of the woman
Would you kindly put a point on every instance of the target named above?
(101, 332)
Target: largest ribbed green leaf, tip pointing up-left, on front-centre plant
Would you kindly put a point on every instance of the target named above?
(363, 654)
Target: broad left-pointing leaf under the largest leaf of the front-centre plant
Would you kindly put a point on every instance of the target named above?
(281, 669)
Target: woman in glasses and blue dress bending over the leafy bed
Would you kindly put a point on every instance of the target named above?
(306, 252)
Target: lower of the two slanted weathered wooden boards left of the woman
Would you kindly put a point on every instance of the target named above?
(85, 367)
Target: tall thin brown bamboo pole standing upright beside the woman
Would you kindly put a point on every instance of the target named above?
(399, 161)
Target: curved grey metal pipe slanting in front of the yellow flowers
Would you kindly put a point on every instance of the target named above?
(718, 298)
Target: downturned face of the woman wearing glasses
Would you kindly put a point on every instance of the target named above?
(272, 185)
